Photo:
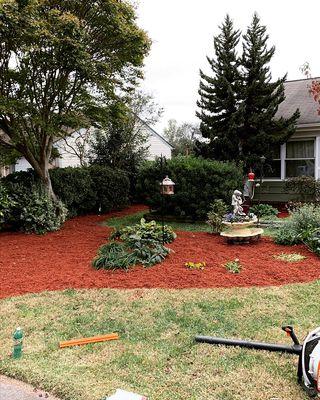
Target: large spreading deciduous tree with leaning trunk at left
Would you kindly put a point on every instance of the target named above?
(61, 65)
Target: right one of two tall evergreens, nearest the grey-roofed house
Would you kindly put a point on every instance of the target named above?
(260, 132)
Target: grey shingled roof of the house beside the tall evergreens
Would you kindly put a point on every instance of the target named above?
(298, 96)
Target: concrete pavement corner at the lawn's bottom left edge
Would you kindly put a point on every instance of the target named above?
(10, 389)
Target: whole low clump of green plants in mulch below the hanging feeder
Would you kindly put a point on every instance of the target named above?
(133, 245)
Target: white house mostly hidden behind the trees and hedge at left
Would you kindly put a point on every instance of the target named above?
(156, 144)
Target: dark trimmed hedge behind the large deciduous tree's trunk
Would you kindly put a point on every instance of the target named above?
(82, 189)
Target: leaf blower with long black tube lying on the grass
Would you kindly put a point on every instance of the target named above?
(308, 352)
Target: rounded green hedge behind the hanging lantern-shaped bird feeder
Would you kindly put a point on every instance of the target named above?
(198, 183)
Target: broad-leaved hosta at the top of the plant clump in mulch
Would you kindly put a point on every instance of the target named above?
(146, 231)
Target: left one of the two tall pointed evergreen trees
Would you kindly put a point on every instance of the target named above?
(218, 97)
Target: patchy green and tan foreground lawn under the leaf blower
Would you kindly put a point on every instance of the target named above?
(156, 354)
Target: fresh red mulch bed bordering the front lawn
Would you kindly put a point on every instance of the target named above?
(59, 260)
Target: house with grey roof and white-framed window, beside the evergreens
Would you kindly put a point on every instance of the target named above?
(301, 154)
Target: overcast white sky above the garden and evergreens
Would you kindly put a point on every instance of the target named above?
(182, 32)
